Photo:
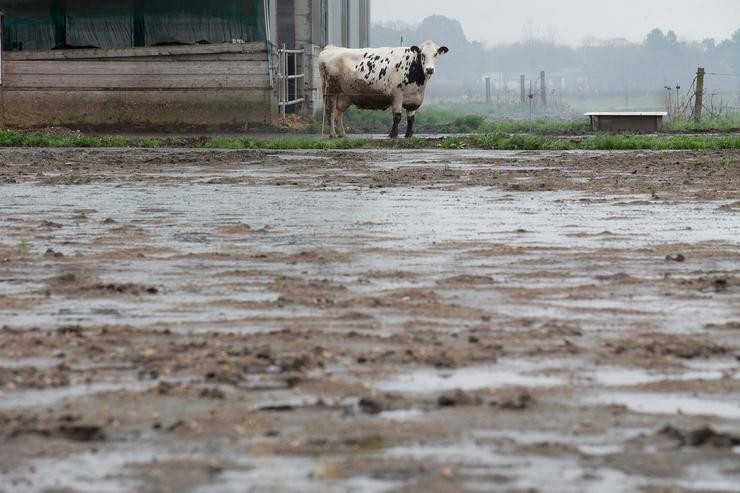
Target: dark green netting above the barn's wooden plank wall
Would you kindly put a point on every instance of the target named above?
(60, 24)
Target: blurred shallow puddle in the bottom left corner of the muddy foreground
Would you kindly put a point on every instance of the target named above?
(121, 468)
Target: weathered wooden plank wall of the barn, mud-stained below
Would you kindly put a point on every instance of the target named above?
(225, 85)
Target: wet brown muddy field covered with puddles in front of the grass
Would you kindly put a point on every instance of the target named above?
(405, 321)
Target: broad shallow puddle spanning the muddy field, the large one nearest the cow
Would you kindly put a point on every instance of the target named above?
(418, 216)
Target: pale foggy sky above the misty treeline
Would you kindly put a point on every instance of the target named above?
(571, 21)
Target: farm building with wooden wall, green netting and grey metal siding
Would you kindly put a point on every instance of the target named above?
(167, 63)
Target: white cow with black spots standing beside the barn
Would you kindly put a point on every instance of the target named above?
(377, 79)
